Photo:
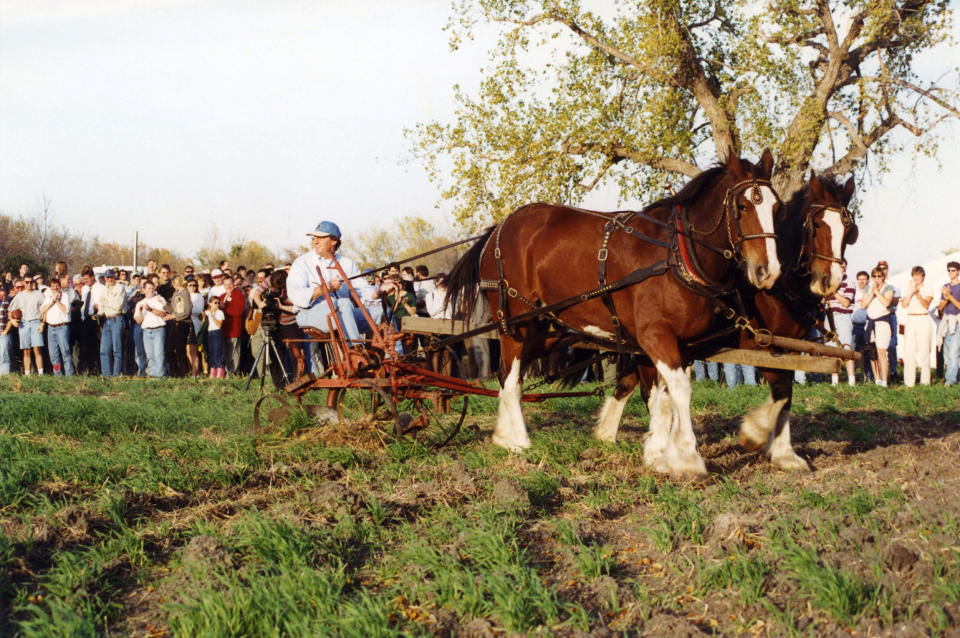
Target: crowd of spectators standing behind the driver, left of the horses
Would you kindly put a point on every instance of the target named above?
(156, 322)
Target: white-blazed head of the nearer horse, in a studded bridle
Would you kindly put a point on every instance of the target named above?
(750, 208)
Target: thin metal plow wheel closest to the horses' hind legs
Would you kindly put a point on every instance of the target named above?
(432, 417)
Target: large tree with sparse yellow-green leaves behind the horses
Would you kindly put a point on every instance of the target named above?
(575, 98)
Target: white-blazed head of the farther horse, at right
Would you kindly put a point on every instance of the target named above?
(828, 229)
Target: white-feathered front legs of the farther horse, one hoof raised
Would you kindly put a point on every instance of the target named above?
(768, 426)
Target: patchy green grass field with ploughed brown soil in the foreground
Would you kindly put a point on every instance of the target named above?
(147, 508)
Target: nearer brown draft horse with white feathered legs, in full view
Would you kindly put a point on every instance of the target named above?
(668, 253)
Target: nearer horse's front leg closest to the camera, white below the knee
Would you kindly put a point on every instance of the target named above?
(682, 458)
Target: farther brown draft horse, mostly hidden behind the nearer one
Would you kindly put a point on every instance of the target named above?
(811, 239)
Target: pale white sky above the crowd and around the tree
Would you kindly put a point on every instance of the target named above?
(178, 118)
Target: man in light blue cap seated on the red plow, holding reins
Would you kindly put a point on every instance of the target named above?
(305, 289)
